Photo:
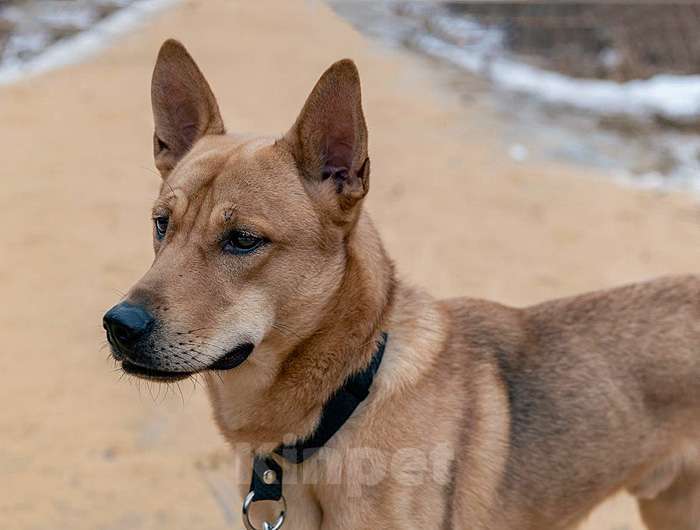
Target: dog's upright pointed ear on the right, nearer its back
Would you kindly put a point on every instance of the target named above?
(329, 138)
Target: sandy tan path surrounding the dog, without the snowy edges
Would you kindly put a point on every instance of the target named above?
(82, 449)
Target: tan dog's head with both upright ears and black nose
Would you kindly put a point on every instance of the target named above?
(249, 233)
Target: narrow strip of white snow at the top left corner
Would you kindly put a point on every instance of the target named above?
(85, 43)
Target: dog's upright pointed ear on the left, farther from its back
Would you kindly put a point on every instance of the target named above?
(184, 107)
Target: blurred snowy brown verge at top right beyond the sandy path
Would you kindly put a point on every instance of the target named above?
(604, 84)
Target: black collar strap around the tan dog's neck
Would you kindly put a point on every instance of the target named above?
(266, 483)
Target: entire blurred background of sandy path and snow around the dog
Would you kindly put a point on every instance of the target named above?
(520, 151)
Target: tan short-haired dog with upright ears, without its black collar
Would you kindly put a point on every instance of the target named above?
(270, 280)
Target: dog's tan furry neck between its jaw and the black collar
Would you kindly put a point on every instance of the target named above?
(343, 343)
